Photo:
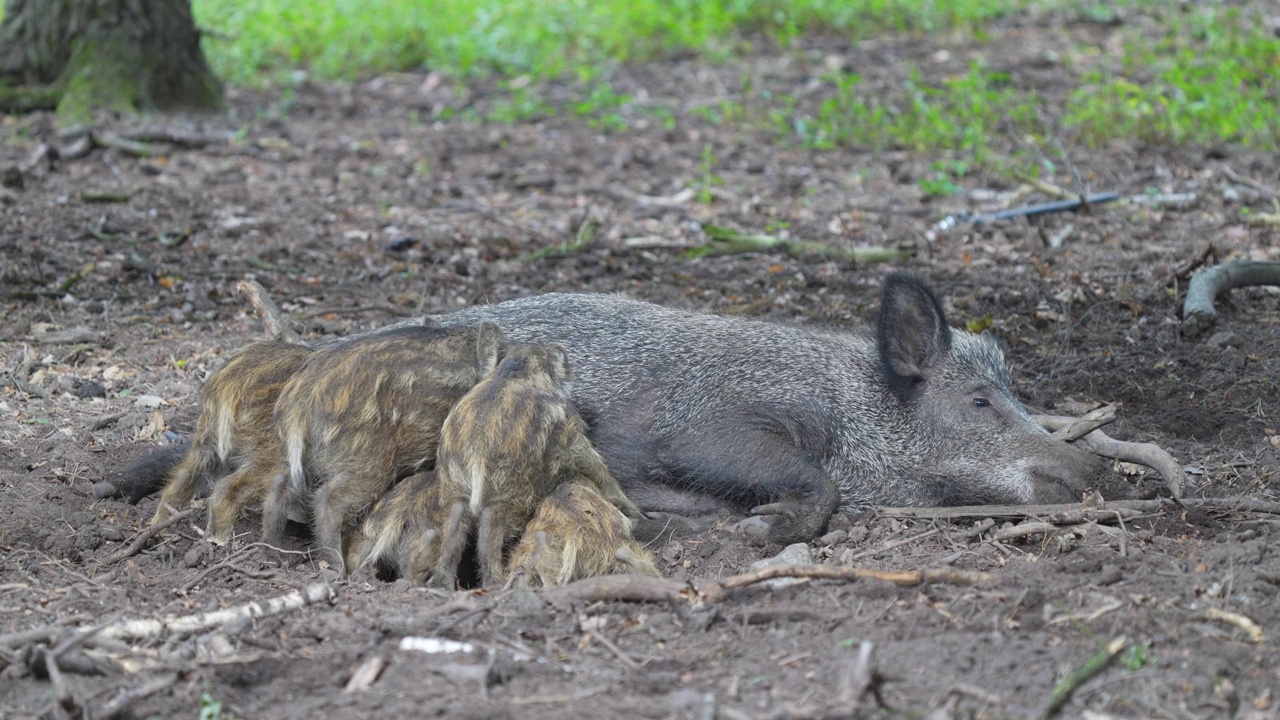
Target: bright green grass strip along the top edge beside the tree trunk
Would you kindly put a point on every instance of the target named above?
(349, 39)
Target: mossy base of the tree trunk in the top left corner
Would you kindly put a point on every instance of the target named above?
(116, 56)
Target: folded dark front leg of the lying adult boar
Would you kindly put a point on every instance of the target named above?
(785, 485)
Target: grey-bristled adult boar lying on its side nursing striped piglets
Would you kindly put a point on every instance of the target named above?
(698, 413)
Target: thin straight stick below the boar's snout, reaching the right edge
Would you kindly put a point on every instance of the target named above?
(1077, 513)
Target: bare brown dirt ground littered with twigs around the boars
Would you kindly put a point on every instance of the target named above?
(355, 209)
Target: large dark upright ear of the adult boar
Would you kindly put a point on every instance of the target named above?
(913, 335)
